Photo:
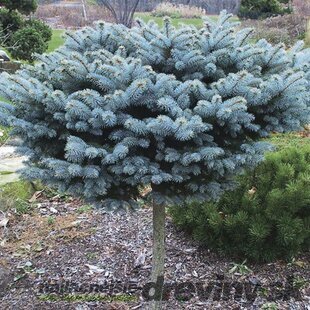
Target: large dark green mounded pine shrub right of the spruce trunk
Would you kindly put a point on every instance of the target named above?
(266, 217)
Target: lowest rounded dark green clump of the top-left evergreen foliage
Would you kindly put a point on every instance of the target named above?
(26, 42)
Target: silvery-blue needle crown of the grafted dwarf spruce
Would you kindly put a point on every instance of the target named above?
(181, 109)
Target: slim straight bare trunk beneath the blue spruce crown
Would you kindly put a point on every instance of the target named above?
(158, 263)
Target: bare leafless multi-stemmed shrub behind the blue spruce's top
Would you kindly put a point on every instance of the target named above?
(121, 10)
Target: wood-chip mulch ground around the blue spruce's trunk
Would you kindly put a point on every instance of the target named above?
(63, 242)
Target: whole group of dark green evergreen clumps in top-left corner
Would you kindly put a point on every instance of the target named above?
(24, 37)
